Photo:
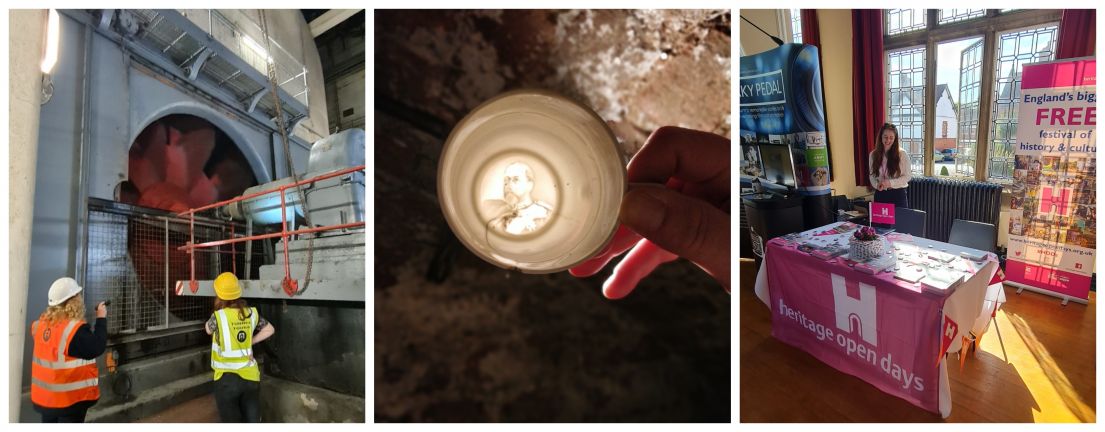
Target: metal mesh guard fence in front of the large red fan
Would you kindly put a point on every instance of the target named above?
(134, 262)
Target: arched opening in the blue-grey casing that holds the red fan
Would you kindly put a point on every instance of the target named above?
(177, 163)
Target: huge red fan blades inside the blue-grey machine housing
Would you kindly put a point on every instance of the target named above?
(180, 163)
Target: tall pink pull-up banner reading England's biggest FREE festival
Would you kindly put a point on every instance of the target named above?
(1054, 213)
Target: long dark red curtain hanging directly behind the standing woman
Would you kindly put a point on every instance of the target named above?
(869, 92)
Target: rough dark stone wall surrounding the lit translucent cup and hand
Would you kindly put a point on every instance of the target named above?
(459, 340)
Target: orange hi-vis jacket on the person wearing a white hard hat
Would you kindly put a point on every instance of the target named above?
(59, 381)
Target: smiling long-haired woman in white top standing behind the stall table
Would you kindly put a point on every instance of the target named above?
(890, 170)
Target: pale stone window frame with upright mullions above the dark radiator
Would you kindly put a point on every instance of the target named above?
(987, 27)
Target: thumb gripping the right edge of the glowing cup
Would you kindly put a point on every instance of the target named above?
(682, 225)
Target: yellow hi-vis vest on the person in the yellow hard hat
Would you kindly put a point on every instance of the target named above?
(233, 345)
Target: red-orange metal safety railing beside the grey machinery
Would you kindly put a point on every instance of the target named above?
(290, 286)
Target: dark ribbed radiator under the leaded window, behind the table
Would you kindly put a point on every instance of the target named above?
(946, 201)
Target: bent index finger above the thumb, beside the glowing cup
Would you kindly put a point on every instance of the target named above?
(692, 156)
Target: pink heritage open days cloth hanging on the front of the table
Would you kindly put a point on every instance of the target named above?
(883, 331)
